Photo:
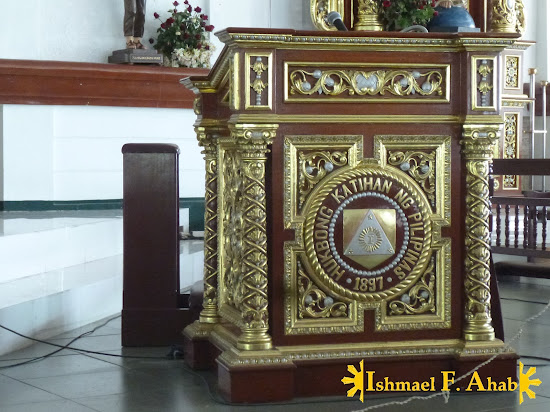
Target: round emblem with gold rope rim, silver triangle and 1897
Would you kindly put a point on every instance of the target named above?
(367, 232)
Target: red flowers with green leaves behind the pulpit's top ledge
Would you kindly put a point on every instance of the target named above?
(399, 14)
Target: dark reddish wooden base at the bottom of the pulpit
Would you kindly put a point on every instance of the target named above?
(274, 381)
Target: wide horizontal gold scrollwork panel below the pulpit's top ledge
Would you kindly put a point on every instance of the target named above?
(313, 82)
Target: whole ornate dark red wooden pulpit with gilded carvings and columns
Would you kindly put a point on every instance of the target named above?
(347, 209)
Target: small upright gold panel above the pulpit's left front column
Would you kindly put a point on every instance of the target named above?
(258, 88)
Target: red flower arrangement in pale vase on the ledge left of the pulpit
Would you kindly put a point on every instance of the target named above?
(183, 37)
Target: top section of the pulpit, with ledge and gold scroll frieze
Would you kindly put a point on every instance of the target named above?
(259, 75)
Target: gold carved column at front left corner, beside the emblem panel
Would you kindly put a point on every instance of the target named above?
(250, 292)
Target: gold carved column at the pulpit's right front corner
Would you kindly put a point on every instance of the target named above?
(477, 149)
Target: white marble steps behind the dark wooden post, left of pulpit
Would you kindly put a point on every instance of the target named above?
(50, 302)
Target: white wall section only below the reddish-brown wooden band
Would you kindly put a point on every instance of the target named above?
(74, 152)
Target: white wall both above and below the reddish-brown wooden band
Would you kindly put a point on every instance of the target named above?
(73, 152)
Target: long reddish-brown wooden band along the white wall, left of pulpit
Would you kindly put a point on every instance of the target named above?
(70, 83)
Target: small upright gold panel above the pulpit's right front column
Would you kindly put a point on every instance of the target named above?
(484, 83)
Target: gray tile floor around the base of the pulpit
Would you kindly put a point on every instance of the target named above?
(77, 382)
